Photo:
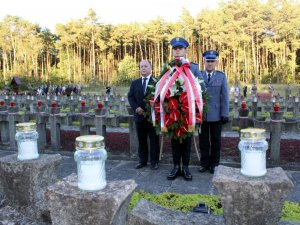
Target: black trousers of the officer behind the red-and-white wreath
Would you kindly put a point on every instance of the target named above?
(181, 151)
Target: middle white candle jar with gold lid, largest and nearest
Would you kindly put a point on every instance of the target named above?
(90, 156)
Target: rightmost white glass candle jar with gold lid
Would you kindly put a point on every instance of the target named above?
(253, 148)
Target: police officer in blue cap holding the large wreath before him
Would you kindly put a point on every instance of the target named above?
(181, 151)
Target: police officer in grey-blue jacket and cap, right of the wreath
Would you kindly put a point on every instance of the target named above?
(218, 113)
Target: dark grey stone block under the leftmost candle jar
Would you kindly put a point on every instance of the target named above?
(24, 183)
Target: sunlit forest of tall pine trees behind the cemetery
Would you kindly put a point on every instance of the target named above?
(258, 42)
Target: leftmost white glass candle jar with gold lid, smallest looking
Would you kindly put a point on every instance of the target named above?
(26, 137)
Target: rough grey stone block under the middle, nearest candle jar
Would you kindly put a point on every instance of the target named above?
(71, 206)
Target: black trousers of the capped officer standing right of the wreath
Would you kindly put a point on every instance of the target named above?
(210, 143)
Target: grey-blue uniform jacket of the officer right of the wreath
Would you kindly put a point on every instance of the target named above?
(217, 90)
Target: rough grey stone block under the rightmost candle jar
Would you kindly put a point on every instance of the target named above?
(248, 200)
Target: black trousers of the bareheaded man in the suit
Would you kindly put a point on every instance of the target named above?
(144, 130)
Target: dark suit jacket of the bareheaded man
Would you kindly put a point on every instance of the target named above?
(136, 97)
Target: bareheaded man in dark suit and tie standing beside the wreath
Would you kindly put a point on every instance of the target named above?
(144, 128)
